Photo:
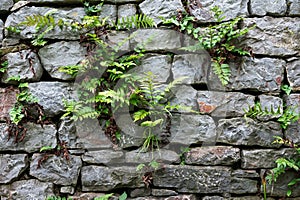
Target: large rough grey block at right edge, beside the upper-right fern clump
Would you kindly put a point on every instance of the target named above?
(274, 36)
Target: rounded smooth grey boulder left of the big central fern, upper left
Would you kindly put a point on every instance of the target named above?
(54, 56)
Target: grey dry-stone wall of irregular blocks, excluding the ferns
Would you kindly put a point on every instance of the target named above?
(228, 152)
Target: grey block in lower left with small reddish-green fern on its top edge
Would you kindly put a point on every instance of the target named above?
(56, 169)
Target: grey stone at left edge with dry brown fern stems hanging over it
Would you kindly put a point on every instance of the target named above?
(24, 64)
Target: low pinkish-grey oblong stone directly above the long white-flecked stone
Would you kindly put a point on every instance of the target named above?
(214, 155)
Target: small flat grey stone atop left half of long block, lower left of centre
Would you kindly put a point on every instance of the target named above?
(105, 157)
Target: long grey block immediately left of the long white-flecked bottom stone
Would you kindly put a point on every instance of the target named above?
(98, 178)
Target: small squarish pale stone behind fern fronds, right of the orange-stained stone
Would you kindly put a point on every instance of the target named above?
(270, 103)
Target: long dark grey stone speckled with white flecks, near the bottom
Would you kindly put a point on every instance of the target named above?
(194, 179)
